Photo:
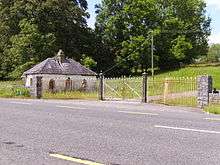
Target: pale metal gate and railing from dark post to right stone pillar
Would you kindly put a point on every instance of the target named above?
(169, 91)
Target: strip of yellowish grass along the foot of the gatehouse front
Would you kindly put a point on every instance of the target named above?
(71, 95)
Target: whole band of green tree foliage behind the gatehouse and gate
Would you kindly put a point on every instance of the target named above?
(31, 31)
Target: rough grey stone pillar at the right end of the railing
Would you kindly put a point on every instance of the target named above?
(204, 89)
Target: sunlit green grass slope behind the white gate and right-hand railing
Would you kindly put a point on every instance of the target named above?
(119, 89)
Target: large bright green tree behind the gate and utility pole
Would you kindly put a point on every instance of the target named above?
(180, 29)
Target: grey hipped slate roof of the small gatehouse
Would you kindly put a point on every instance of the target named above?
(54, 66)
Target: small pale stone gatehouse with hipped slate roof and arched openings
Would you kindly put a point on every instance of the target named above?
(60, 74)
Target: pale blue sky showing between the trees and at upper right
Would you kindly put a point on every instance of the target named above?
(213, 11)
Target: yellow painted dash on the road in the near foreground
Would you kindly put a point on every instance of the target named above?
(76, 160)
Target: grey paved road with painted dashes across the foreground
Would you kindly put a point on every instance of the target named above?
(113, 133)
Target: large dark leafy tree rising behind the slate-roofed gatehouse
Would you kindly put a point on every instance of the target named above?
(32, 30)
